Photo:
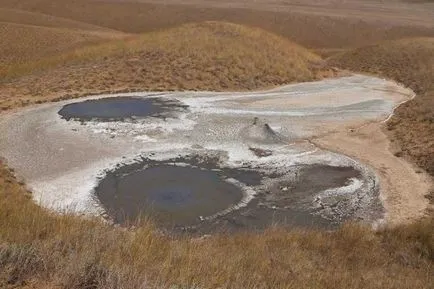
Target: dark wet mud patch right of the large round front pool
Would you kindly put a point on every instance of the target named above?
(288, 203)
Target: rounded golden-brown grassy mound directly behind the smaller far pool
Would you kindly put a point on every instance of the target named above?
(207, 56)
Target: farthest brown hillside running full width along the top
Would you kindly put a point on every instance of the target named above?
(331, 28)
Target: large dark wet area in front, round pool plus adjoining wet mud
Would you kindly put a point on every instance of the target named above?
(201, 196)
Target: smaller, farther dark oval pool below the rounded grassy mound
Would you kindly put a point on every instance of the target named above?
(120, 108)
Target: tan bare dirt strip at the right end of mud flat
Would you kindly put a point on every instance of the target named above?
(402, 186)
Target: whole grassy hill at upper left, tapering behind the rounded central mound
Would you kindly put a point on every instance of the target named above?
(28, 37)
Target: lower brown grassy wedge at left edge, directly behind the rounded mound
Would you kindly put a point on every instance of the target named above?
(25, 43)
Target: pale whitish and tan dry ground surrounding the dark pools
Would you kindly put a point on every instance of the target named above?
(62, 161)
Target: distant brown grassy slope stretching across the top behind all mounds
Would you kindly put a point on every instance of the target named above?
(313, 31)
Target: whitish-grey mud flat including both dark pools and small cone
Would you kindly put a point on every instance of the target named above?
(206, 161)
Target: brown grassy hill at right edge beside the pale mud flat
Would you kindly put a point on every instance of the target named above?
(411, 62)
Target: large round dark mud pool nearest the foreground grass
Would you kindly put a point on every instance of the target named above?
(172, 194)
